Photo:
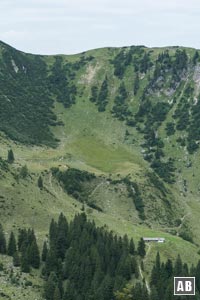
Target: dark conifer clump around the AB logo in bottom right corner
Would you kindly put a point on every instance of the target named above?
(162, 281)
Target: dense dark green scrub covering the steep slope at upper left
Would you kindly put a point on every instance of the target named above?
(26, 106)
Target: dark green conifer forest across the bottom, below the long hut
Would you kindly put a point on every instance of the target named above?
(81, 261)
